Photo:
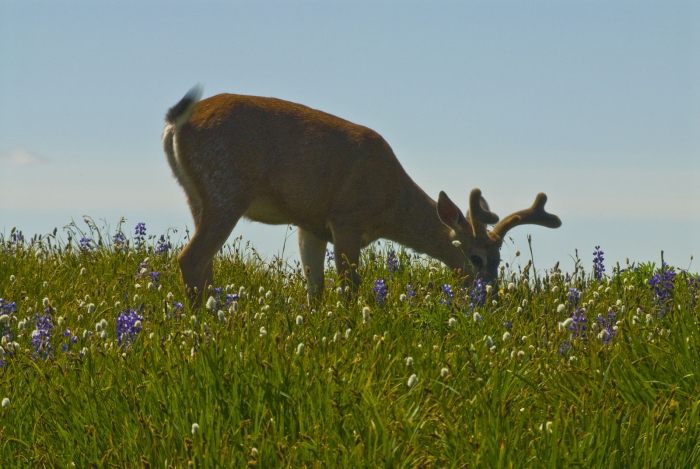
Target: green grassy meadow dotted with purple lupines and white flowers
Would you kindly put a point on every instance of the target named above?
(104, 364)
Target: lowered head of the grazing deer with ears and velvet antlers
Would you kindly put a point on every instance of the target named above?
(477, 252)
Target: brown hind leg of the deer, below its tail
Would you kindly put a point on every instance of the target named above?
(196, 260)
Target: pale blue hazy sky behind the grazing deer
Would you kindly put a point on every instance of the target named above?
(595, 103)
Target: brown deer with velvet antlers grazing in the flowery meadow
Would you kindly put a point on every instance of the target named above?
(278, 162)
